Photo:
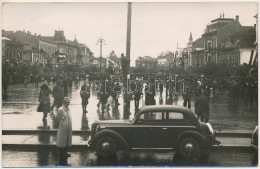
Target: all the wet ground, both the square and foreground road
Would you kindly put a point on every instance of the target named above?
(19, 112)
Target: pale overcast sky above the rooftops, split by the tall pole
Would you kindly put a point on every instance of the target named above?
(156, 27)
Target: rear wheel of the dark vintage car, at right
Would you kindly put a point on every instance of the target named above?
(189, 148)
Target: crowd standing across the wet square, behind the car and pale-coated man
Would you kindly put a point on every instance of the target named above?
(108, 89)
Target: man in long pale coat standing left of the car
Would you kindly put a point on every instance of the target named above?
(64, 133)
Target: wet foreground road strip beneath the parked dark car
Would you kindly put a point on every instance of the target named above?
(86, 158)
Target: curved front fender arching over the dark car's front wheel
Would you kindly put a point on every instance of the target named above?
(122, 143)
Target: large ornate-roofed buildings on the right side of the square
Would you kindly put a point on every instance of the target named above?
(224, 40)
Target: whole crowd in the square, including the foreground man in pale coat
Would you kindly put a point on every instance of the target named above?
(108, 88)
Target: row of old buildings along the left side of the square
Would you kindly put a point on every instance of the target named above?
(37, 49)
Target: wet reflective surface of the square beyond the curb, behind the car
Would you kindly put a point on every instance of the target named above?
(22, 104)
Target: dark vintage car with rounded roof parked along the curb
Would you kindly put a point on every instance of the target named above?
(158, 126)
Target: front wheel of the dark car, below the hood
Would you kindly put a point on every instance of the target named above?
(106, 146)
